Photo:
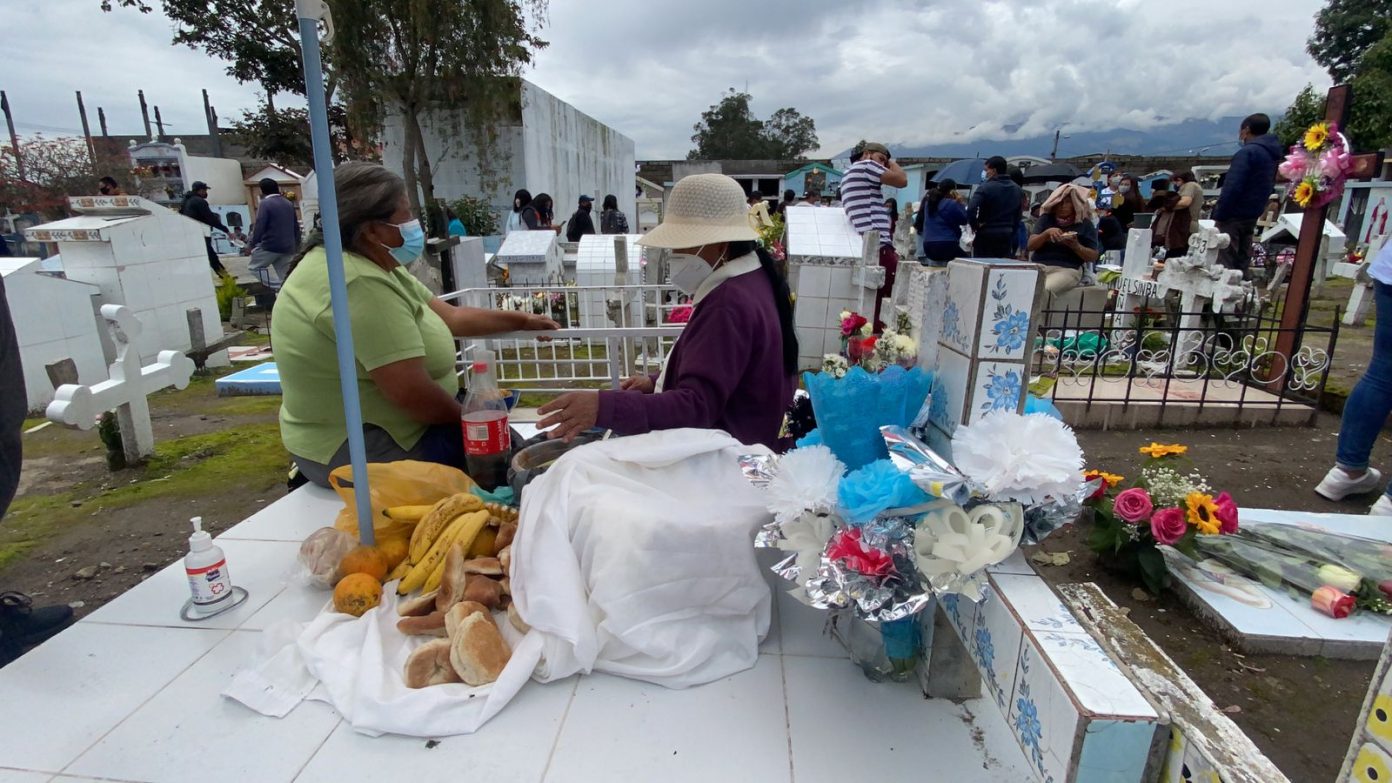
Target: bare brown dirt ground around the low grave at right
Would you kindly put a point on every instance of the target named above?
(1299, 711)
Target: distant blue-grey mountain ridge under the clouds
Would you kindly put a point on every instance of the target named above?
(1180, 140)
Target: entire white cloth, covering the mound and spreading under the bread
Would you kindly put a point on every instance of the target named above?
(634, 557)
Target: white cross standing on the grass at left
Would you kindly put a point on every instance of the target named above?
(126, 389)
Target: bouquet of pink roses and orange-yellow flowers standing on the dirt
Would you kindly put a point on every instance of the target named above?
(1167, 506)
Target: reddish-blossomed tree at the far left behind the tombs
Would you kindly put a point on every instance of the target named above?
(56, 169)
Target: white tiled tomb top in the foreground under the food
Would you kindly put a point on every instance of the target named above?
(132, 693)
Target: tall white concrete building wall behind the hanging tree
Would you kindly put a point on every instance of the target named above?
(556, 150)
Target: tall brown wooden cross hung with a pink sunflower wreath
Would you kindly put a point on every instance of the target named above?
(1308, 249)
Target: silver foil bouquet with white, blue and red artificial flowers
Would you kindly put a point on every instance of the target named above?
(879, 544)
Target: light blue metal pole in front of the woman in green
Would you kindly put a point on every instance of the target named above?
(310, 13)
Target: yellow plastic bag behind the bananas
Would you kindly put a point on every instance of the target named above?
(396, 484)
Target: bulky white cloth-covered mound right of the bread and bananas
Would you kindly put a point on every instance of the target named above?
(635, 557)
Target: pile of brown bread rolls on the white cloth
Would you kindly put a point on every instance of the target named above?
(471, 649)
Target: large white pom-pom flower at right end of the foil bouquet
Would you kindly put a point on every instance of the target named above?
(1020, 458)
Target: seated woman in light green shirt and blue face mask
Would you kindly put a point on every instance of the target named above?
(403, 338)
